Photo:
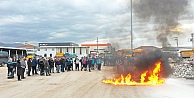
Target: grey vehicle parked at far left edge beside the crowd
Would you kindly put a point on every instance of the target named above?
(3, 58)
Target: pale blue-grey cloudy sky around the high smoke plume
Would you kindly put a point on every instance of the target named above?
(80, 21)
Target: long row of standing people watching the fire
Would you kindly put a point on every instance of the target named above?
(46, 66)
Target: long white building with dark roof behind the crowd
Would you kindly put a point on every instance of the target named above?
(51, 49)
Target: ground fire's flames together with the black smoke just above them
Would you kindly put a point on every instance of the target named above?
(148, 68)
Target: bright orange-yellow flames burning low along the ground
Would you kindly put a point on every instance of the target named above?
(147, 78)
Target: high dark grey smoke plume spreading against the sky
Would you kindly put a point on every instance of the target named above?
(164, 13)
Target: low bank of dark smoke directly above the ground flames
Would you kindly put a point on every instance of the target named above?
(145, 62)
